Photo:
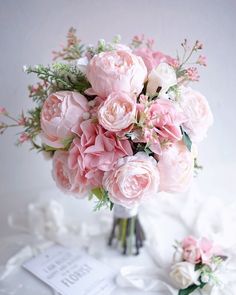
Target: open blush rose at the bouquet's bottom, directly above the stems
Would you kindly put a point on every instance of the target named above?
(132, 179)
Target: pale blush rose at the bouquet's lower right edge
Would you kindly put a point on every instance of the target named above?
(176, 167)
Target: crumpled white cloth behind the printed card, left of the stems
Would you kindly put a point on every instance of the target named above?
(50, 221)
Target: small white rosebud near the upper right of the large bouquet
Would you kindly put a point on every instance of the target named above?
(163, 76)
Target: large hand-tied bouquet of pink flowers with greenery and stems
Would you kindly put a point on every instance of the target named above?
(120, 123)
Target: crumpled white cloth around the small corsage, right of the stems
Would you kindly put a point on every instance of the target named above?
(172, 218)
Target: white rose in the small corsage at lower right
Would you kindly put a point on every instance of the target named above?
(184, 275)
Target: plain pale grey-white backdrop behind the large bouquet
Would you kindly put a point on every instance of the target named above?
(30, 30)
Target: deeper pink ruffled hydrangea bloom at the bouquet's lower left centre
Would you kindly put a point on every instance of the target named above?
(96, 151)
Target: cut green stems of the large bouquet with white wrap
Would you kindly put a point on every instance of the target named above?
(127, 233)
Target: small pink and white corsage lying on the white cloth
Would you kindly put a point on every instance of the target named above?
(197, 265)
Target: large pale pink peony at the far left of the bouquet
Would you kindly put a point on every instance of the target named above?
(60, 113)
